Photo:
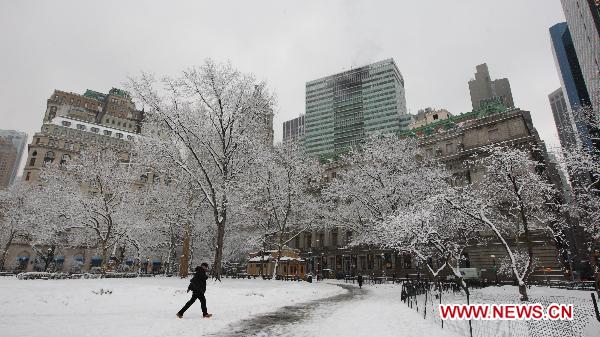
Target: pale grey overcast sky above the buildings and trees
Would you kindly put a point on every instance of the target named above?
(75, 45)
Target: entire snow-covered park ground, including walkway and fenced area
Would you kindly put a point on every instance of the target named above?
(146, 307)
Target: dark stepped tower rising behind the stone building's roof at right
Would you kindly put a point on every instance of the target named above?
(483, 89)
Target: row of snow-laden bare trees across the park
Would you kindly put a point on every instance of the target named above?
(215, 176)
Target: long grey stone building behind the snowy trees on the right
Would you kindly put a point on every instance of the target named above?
(452, 141)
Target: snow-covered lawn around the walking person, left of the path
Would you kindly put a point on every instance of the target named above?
(138, 307)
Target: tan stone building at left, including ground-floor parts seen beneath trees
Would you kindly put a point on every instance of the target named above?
(71, 122)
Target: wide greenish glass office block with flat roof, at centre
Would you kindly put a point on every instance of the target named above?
(343, 109)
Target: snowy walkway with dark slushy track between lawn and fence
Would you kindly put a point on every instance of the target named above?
(371, 311)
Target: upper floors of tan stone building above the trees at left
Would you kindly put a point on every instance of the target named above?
(72, 121)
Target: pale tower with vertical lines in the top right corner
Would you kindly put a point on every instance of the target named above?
(583, 19)
